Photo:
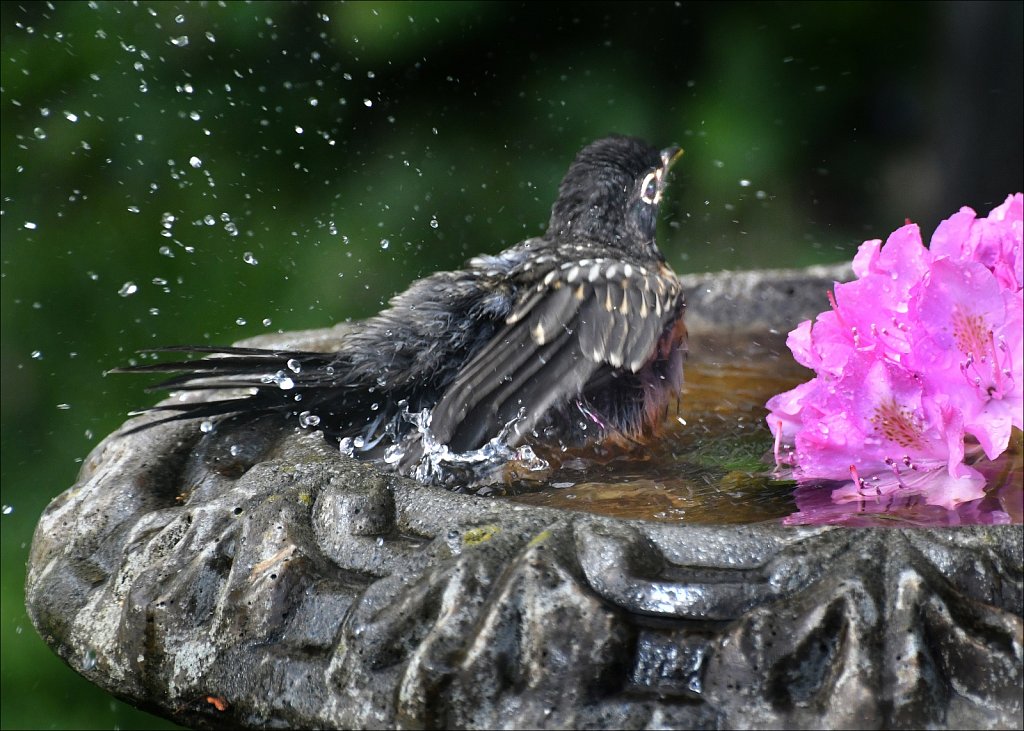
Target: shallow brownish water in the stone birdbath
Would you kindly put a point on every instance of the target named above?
(714, 463)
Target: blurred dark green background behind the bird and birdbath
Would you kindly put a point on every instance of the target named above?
(177, 173)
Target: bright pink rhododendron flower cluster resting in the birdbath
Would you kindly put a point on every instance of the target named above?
(922, 351)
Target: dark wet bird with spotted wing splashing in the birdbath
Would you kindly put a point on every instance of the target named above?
(572, 337)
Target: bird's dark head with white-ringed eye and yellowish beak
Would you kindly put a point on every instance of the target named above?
(611, 195)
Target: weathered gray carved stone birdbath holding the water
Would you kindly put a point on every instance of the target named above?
(260, 571)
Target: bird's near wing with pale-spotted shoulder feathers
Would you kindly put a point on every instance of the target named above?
(579, 318)
